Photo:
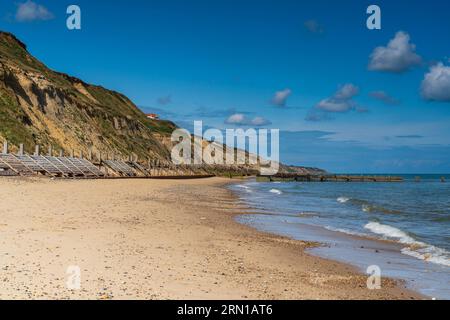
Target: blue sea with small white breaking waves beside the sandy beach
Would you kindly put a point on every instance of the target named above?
(402, 229)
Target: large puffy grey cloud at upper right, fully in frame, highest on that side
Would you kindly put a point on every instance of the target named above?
(398, 56)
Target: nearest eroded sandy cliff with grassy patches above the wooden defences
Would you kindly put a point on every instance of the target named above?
(40, 106)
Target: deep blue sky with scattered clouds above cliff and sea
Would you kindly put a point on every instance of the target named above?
(345, 98)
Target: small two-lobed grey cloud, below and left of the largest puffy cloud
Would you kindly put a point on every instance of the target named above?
(341, 101)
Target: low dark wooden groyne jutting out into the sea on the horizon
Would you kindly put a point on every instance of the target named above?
(328, 178)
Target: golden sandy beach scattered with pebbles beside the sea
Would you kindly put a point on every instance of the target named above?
(156, 239)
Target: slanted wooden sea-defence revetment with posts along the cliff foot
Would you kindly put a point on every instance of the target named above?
(71, 166)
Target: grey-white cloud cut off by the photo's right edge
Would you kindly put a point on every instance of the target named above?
(436, 84)
